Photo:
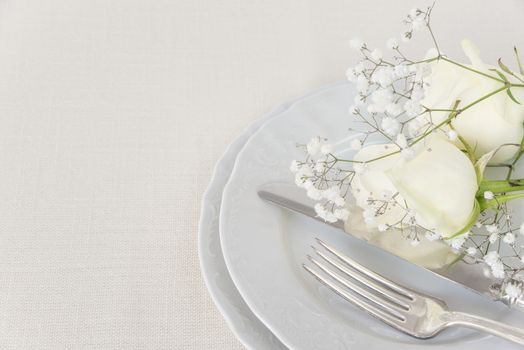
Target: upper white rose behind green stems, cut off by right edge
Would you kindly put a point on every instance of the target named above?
(487, 125)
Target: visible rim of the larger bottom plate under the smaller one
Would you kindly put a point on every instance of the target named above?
(243, 323)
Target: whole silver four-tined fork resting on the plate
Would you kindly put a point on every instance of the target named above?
(413, 313)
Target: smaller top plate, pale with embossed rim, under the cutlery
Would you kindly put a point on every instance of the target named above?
(264, 248)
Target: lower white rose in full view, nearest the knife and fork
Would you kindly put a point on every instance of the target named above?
(438, 184)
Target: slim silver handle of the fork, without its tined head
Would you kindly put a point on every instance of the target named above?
(499, 329)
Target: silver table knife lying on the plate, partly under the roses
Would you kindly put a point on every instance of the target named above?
(470, 276)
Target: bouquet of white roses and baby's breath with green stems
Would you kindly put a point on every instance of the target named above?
(436, 159)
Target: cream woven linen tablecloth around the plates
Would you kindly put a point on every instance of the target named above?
(112, 115)
